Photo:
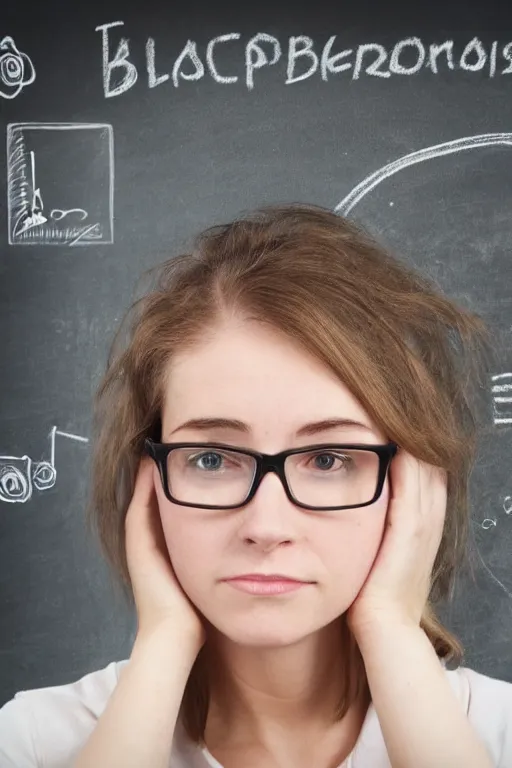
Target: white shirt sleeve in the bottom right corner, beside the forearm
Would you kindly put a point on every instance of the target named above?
(490, 712)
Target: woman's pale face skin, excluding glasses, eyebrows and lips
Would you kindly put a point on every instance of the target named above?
(250, 373)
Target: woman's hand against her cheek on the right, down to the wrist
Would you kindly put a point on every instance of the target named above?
(398, 585)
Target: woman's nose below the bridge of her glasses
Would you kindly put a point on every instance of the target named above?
(269, 520)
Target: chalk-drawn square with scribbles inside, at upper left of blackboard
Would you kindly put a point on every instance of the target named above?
(60, 183)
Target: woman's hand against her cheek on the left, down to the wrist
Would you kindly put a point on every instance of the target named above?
(159, 598)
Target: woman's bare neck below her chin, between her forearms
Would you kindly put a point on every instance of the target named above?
(256, 692)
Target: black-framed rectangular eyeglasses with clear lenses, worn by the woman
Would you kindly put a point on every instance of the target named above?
(220, 476)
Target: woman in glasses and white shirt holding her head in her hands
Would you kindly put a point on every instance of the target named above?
(283, 446)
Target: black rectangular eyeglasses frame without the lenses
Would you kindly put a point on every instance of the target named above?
(265, 463)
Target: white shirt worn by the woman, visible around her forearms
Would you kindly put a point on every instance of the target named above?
(47, 727)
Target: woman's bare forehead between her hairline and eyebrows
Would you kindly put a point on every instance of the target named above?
(250, 372)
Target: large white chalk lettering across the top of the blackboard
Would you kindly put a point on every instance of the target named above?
(303, 59)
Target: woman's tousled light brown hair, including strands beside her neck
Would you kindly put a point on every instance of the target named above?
(415, 360)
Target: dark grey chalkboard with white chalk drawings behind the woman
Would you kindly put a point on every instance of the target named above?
(128, 128)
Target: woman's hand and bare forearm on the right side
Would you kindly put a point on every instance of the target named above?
(433, 729)
